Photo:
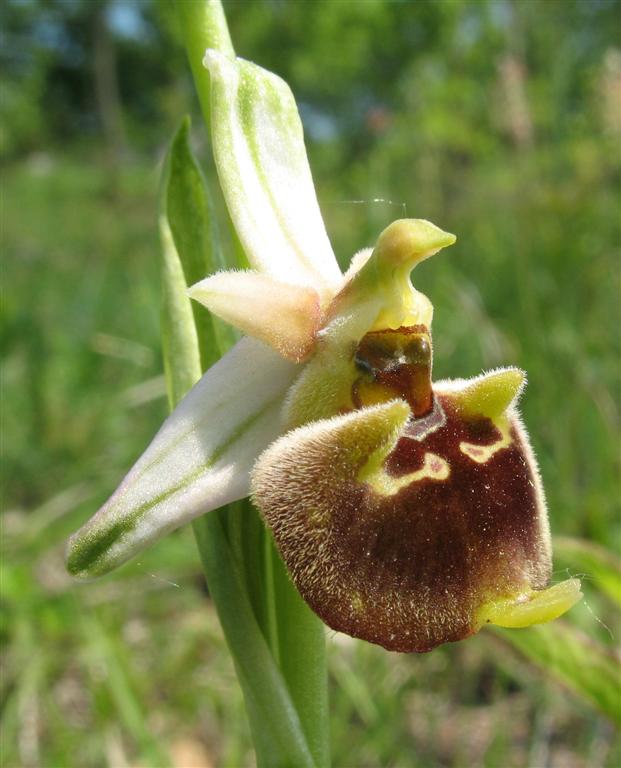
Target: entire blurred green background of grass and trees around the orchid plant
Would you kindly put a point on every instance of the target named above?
(499, 121)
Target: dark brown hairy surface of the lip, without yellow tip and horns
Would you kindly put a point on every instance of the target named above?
(410, 570)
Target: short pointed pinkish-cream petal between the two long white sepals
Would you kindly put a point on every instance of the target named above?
(286, 316)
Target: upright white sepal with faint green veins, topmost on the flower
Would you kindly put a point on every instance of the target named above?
(264, 174)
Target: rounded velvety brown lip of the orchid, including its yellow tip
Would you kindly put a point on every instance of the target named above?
(413, 532)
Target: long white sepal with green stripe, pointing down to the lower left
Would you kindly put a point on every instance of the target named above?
(199, 460)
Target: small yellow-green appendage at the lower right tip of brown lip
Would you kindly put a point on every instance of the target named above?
(532, 607)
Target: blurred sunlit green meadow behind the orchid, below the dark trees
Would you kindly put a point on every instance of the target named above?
(132, 670)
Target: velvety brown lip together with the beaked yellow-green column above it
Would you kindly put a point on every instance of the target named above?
(413, 514)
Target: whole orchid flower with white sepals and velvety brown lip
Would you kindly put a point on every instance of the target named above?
(407, 513)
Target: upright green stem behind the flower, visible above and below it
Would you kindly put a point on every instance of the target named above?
(293, 633)
